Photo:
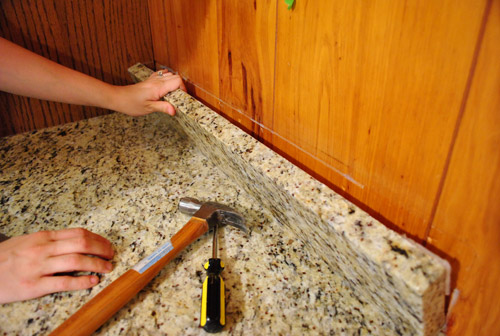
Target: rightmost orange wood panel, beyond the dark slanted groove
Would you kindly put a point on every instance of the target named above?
(467, 221)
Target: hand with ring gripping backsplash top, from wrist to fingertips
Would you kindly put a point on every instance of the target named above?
(144, 97)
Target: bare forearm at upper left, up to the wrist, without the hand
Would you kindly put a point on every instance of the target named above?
(25, 73)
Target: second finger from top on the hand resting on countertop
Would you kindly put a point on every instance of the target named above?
(82, 244)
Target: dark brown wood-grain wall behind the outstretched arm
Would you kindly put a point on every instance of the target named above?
(99, 38)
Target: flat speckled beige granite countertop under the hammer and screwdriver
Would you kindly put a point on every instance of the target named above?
(122, 177)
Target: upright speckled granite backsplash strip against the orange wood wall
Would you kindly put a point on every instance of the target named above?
(405, 281)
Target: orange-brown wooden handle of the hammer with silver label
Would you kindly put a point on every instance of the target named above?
(112, 298)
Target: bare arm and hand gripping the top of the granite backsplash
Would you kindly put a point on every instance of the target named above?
(25, 73)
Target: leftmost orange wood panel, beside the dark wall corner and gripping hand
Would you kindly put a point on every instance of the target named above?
(192, 47)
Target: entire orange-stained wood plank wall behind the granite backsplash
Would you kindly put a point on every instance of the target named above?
(394, 105)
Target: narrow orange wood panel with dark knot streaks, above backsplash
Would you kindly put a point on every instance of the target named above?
(247, 38)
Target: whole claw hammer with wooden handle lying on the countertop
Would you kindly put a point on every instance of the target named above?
(112, 298)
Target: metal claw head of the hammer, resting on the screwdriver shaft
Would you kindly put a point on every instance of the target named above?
(214, 213)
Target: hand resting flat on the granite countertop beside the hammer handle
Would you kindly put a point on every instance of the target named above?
(28, 263)
